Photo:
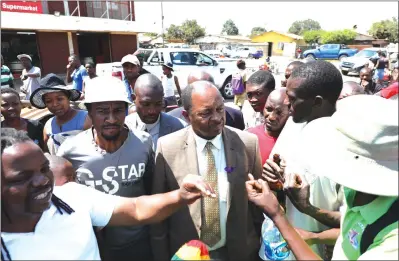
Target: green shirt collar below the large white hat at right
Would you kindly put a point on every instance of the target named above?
(371, 211)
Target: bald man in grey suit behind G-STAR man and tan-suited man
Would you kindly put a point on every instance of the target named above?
(149, 105)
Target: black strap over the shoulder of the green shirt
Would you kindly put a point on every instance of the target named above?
(372, 230)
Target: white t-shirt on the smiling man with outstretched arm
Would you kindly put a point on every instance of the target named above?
(66, 237)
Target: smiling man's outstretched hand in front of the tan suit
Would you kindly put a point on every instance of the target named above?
(193, 187)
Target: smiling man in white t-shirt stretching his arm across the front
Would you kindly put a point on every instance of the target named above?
(43, 222)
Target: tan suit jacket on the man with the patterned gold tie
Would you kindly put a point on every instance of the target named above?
(175, 158)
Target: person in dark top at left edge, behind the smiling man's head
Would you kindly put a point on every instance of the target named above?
(11, 107)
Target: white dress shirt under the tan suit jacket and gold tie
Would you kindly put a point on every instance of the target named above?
(223, 184)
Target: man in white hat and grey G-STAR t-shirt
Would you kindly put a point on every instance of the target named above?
(113, 159)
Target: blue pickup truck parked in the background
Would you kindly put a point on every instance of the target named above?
(330, 51)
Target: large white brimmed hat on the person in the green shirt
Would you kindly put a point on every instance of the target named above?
(358, 146)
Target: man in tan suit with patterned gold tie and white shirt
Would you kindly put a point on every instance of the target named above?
(230, 225)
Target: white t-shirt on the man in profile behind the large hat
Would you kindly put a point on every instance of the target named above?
(291, 145)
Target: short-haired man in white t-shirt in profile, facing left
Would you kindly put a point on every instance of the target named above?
(313, 90)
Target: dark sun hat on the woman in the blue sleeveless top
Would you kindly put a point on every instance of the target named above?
(52, 83)
